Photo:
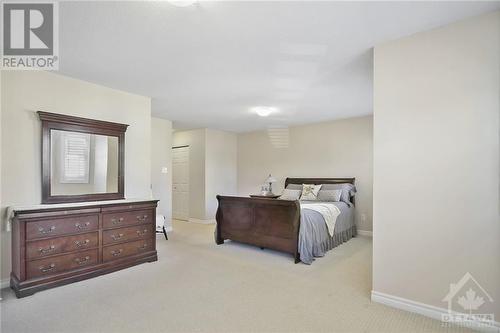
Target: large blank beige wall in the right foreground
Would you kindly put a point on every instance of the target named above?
(436, 162)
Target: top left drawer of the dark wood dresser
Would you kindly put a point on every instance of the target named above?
(61, 226)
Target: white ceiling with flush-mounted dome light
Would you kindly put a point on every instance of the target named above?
(206, 65)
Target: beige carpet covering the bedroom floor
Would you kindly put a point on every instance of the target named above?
(197, 286)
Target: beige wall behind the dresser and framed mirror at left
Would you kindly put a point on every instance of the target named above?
(25, 92)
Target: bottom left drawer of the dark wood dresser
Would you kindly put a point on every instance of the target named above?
(48, 266)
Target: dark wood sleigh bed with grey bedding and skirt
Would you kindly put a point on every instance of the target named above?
(285, 225)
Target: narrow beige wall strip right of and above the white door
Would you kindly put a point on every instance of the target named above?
(195, 139)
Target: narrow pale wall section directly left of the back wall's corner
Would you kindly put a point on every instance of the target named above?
(220, 168)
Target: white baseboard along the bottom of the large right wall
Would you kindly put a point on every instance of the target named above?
(427, 310)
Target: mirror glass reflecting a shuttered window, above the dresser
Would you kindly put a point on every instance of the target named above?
(83, 163)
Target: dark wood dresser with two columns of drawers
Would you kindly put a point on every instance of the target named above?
(52, 246)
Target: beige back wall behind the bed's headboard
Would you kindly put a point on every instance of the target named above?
(340, 148)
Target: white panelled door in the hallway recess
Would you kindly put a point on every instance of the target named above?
(180, 183)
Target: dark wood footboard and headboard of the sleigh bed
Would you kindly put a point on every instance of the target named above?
(263, 222)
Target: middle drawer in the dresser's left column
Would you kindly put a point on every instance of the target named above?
(47, 247)
